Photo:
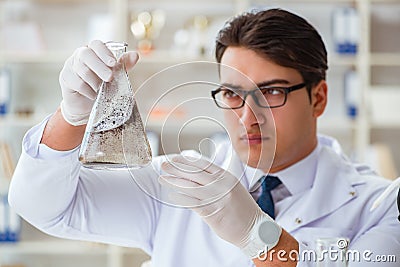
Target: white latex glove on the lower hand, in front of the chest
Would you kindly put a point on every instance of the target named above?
(219, 198)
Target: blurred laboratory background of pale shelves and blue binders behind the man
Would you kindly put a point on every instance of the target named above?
(175, 39)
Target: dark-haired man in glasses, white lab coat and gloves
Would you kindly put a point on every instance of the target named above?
(187, 211)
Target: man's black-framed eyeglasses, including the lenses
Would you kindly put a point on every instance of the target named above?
(265, 97)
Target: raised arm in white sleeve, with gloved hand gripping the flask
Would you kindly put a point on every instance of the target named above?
(52, 191)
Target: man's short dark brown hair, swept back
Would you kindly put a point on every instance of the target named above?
(280, 36)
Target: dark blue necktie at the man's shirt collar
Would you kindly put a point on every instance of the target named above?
(265, 200)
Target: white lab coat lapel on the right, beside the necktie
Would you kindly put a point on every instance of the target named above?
(332, 189)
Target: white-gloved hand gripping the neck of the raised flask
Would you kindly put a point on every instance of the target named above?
(82, 76)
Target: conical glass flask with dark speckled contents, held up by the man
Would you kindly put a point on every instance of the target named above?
(114, 136)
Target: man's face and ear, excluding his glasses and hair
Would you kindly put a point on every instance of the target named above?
(256, 132)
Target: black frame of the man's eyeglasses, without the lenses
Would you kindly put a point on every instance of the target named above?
(252, 93)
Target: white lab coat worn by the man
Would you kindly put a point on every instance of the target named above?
(59, 197)
